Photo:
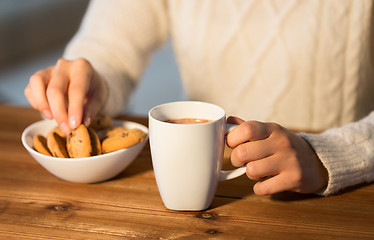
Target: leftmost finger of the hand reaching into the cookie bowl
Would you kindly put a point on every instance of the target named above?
(36, 91)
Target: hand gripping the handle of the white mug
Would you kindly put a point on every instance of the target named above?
(276, 157)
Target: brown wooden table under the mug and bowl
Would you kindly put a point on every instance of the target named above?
(36, 205)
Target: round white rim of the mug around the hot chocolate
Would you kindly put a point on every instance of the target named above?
(152, 110)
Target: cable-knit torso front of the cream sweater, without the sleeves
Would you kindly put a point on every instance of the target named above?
(295, 63)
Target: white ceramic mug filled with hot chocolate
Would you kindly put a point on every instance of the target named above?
(187, 158)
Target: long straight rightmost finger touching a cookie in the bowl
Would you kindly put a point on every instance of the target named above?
(80, 79)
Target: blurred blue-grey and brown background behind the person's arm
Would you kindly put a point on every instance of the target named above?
(33, 34)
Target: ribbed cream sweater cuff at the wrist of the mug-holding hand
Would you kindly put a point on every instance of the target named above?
(342, 163)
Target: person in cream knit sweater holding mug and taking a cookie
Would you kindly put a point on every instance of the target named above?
(300, 65)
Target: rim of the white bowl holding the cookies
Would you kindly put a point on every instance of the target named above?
(116, 122)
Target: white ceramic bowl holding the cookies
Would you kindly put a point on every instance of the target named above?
(83, 170)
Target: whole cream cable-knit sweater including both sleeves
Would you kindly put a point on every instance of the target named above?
(305, 64)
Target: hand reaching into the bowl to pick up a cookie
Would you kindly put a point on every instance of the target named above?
(71, 92)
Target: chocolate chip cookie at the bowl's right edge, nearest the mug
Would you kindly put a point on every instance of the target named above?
(123, 139)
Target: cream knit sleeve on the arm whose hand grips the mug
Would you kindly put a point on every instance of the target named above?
(347, 153)
